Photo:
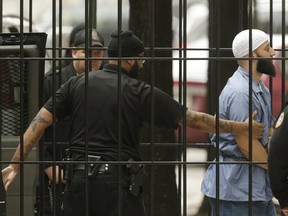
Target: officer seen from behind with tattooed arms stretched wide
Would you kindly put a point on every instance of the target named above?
(106, 162)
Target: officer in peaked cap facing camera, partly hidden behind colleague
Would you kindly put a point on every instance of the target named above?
(46, 200)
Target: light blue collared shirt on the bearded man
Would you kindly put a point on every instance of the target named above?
(234, 178)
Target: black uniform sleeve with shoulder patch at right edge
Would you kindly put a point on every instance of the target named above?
(278, 159)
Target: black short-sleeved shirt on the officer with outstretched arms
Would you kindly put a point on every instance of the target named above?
(98, 106)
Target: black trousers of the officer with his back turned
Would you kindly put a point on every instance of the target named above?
(102, 196)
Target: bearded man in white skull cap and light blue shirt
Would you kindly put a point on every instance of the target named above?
(234, 105)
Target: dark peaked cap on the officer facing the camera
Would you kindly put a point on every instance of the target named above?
(96, 39)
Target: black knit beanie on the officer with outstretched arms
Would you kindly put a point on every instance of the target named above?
(131, 45)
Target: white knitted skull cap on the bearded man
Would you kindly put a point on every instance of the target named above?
(240, 44)
